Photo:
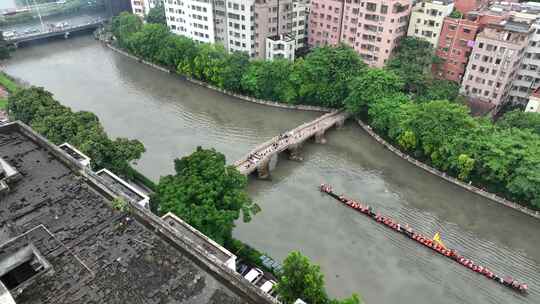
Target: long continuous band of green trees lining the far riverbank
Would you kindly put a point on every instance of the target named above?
(422, 115)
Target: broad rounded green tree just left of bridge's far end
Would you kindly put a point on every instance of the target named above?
(323, 77)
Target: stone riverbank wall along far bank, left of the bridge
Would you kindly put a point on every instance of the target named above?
(226, 92)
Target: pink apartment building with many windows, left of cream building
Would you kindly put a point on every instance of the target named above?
(373, 28)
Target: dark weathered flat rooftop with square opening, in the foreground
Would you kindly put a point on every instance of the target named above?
(77, 249)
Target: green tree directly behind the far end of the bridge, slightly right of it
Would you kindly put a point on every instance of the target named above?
(370, 87)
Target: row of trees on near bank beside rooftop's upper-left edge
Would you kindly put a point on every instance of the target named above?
(37, 108)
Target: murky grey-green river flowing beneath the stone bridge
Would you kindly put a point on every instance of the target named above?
(172, 117)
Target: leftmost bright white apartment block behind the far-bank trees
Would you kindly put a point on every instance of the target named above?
(191, 18)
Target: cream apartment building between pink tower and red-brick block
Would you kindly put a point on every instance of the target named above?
(427, 19)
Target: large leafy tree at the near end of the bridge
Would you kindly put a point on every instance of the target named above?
(206, 193)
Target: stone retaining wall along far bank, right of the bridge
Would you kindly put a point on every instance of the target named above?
(446, 177)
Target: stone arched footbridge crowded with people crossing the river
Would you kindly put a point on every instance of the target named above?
(264, 157)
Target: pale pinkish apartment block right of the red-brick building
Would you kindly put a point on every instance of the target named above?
(495, 61)
